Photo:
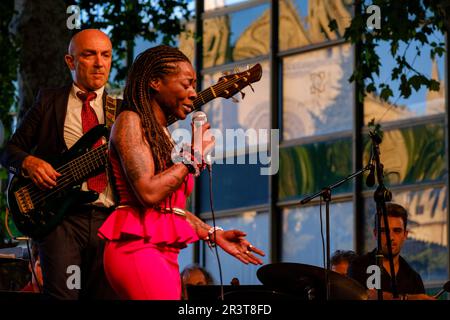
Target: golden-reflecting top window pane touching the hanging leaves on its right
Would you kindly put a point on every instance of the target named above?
(304, 22)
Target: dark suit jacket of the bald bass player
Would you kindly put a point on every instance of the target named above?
(41, 132)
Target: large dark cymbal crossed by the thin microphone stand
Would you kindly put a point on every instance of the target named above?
(310, 281)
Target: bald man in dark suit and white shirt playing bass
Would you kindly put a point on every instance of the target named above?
(51, 127)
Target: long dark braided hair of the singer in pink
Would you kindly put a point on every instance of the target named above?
(151, 64)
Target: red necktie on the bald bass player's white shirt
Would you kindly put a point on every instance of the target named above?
(88, 121)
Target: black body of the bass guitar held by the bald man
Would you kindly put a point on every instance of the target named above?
(36, 212)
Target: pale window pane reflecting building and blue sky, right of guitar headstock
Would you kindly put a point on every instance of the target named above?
(317, 97)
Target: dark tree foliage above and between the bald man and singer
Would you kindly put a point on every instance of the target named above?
(127, 19)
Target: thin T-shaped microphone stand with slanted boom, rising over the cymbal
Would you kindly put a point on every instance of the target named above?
(325, 193)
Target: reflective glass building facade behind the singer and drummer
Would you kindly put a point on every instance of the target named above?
(323, 137)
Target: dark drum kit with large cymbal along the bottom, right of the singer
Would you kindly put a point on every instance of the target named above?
(285, 282)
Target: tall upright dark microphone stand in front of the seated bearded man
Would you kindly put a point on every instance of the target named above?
(381, 196)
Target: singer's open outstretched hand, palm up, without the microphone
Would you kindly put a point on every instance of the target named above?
(234, 242)
